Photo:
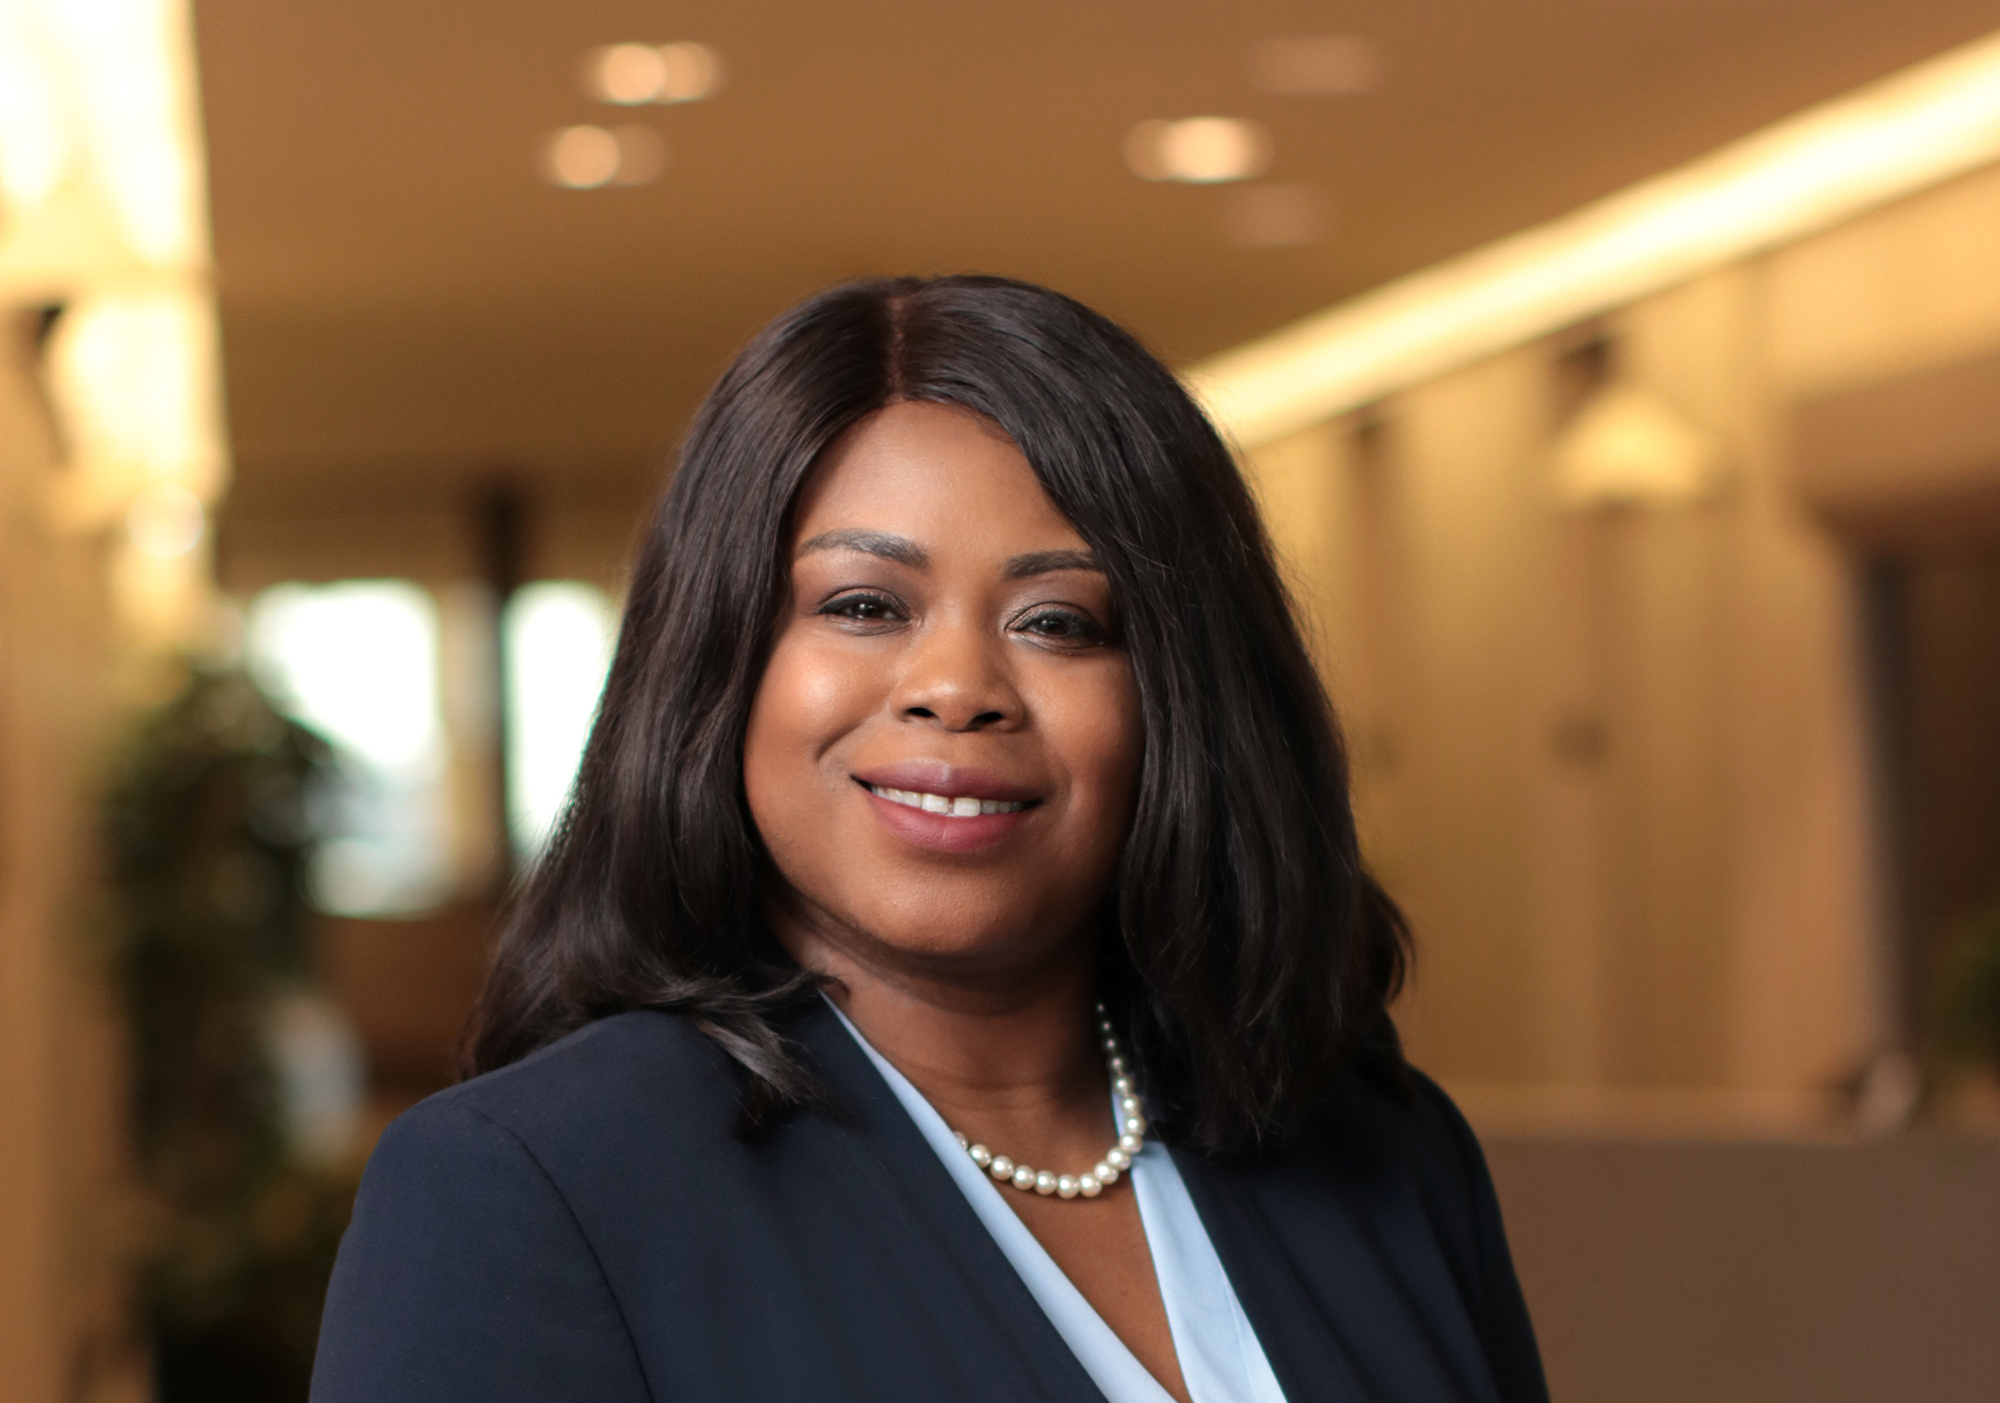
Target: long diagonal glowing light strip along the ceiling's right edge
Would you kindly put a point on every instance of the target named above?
(1827, 165)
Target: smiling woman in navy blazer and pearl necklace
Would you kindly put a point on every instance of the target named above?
(955, 974)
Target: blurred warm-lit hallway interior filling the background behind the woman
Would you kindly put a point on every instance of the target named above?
(1647, 525)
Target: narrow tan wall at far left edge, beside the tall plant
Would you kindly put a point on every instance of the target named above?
(61, 1116)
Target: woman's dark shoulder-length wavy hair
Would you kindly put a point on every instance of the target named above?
(1245, 948)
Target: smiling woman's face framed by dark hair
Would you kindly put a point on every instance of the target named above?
(945, 746)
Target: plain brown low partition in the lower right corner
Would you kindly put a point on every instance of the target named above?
(1697, 1272)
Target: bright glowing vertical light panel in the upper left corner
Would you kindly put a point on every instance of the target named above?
(103, 211)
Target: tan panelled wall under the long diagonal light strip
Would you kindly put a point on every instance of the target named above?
(1617, 762)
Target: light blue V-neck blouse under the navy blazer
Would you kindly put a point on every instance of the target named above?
(1221, 1358)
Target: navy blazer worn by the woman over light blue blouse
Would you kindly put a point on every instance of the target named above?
(585, 1226)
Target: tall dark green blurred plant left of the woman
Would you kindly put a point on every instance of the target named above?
(209, 824)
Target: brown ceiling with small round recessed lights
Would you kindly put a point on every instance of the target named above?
(409, 309)
